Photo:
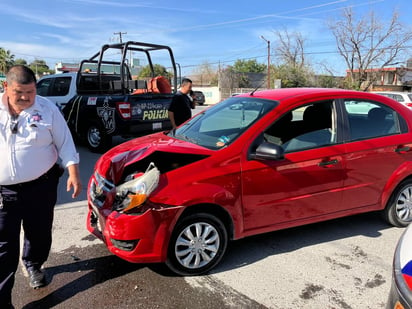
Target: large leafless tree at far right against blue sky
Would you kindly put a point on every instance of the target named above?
(367, 44)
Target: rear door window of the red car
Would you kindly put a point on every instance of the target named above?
(370, 119)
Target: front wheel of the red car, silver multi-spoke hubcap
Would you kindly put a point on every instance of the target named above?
(189, 253)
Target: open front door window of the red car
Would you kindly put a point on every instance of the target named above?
(310, 126)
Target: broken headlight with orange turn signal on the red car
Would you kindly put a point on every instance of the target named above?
(133, 193)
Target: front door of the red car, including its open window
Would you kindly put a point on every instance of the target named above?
(303, 186)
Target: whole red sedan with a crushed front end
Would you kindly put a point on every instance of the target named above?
(251, 164)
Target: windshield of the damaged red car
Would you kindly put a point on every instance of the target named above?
(223, 123)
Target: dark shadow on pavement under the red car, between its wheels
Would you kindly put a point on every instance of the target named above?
(255, 248)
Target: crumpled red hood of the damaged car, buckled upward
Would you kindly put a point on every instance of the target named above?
(112, 164)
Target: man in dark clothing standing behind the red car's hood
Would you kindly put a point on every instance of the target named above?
(181, 107)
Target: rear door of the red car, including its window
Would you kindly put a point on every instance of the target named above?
(376, 146)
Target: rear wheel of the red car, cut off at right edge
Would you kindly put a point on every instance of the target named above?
(398, 211)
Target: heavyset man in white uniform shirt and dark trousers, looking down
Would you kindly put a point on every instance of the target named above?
(33, 135)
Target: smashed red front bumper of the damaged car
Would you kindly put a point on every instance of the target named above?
(139, 235)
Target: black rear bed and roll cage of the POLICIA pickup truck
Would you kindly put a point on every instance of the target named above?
(109, 101)
